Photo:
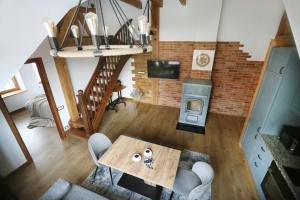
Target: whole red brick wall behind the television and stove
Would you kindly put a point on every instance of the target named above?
(234, 77)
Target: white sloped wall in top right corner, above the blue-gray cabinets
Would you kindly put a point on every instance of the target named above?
(292, 8)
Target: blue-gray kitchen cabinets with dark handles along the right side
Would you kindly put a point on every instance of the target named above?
(278, 88)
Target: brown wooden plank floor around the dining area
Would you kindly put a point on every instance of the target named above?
(69, 159)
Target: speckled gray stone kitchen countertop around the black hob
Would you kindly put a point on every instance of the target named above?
(283, 158)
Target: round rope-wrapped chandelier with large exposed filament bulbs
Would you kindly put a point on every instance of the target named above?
(101, 43)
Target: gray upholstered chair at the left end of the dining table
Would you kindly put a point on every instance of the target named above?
(98, 143)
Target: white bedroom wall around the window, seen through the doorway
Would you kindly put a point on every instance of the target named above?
(31, 86)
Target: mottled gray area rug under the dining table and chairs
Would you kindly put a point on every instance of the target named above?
(102, 183)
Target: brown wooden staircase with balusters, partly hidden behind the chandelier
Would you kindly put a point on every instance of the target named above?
(93, 100)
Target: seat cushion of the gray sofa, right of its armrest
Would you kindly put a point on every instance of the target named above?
(80, 193)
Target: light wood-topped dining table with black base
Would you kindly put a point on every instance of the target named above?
(137, 176)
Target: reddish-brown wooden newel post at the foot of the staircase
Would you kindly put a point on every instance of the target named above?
(82, 101)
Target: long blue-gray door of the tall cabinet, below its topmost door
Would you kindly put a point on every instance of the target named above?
(263, 103)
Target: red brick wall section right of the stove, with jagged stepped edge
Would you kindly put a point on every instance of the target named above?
(234, 80)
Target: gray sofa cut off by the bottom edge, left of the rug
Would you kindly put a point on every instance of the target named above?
(65, 190)
